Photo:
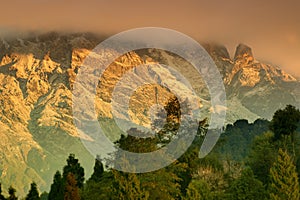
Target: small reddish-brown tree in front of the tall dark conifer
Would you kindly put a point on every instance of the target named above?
(71, 188)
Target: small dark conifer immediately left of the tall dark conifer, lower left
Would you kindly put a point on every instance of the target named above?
(57, 188)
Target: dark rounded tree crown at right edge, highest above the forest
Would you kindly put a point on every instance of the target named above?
(285, 122)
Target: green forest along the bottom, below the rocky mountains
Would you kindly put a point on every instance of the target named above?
(259, 160)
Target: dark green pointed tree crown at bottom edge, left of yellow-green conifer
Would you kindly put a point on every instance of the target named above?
(247, 187)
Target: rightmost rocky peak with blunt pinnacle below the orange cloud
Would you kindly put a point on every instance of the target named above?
(261, 88)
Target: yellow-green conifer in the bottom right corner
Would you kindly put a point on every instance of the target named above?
(284, 178)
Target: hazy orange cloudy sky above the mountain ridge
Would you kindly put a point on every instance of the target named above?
(271, 28)
